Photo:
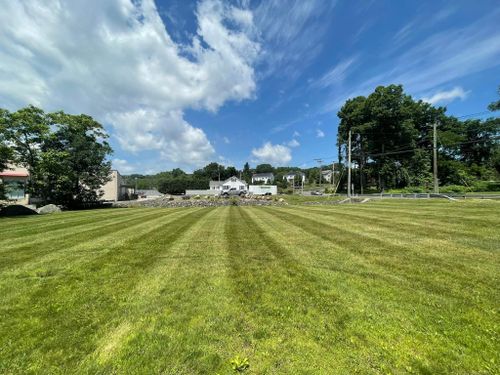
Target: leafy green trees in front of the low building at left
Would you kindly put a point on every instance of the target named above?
(66, 155)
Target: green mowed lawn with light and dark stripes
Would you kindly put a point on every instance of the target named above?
(389, 287)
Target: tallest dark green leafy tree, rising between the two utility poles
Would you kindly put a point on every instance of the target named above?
(386, 126)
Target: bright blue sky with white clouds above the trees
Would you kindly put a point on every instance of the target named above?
(179, 83)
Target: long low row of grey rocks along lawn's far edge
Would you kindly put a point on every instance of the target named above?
(204, 202)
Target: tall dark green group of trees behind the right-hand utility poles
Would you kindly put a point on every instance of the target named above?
(392, 142)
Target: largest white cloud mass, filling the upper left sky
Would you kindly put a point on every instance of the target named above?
(116, 61)
